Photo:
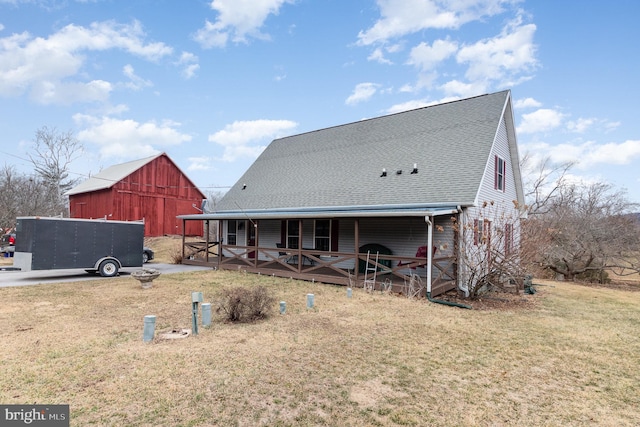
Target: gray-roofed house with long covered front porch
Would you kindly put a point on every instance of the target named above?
(324, 205)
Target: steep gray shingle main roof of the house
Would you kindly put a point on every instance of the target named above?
(341, 166)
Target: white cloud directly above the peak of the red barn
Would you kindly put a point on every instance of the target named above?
(128, 139)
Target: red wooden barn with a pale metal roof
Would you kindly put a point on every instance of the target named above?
(153, 189)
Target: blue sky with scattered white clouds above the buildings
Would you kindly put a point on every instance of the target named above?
(212, 83)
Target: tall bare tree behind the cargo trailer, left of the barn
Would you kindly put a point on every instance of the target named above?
(54, 152)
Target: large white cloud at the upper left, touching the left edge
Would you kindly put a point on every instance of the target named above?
(47, 67)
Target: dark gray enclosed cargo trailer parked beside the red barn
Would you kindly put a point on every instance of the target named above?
(63, 243)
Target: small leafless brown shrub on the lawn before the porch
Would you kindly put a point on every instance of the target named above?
(242, 304)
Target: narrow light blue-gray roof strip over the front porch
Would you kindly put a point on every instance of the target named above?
(329, 212)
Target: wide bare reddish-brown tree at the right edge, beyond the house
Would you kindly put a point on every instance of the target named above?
(585, 228)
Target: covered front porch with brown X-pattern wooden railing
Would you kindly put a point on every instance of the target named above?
(334, 249)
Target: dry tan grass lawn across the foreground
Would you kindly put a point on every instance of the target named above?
(566, 356)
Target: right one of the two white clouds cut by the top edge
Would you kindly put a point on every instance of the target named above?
(402, 17)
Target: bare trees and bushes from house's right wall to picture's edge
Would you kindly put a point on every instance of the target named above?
(569, 228)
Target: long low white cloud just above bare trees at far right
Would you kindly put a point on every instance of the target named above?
(587, 154)
